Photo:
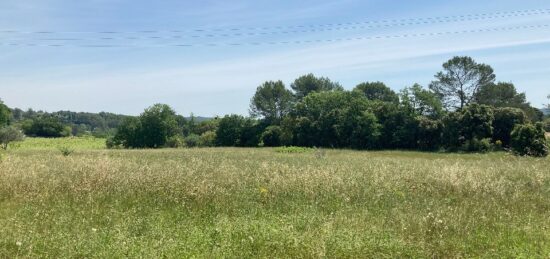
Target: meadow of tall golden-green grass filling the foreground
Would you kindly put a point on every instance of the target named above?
(236, 203)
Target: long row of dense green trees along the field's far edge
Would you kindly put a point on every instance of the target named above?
(463, 109)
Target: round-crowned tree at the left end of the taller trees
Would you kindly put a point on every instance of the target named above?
(271, 101)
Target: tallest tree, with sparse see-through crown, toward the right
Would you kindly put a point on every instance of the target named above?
(460, 80)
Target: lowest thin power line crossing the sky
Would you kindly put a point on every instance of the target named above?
(411, 35)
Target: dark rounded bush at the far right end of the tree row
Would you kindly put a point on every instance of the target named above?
(529, 140)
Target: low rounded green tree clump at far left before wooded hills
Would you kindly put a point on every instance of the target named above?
(45, 126)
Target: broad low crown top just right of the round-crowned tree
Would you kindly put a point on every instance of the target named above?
(307, 84)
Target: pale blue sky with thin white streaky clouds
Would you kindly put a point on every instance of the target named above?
(208, 57)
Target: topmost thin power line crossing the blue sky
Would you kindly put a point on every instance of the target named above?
(381, 23)
